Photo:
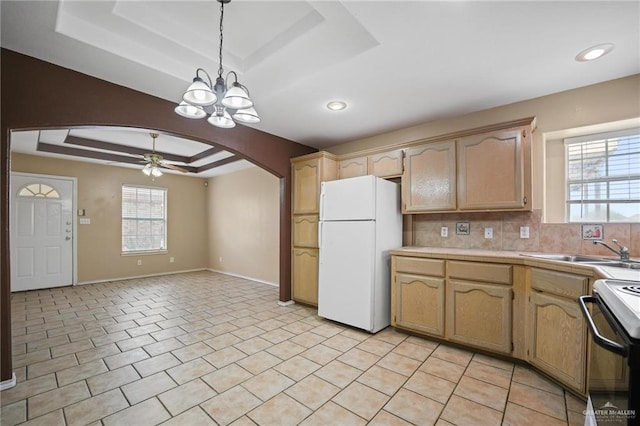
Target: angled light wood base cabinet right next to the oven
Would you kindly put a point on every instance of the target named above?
(557, 341)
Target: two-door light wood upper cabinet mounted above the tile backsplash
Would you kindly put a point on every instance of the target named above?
(486, 169)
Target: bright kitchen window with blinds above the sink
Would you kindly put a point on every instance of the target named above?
(603, 177)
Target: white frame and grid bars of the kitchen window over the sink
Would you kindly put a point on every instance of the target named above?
(607, 179)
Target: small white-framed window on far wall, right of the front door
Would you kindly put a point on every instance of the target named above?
(144, 219)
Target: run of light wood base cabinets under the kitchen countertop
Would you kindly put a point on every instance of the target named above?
(491, 305)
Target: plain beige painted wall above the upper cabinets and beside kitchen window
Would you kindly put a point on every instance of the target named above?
(601, 103)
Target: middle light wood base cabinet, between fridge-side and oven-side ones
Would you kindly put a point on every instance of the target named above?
(479, 301)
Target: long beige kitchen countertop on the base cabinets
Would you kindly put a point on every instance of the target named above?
(519, 258)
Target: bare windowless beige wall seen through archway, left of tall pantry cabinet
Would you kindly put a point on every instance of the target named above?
(243, 209)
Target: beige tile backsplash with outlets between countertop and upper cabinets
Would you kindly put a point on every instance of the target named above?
(543, 237)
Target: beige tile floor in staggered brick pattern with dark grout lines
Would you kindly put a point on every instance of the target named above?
(204, 348)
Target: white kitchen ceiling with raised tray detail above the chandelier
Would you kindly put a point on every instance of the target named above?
(396, 63)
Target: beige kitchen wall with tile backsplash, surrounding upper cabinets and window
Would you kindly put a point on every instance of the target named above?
(602, 107)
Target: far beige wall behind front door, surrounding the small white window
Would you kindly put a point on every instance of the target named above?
(99, 193)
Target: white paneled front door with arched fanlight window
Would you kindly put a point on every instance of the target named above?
(41, 232)
